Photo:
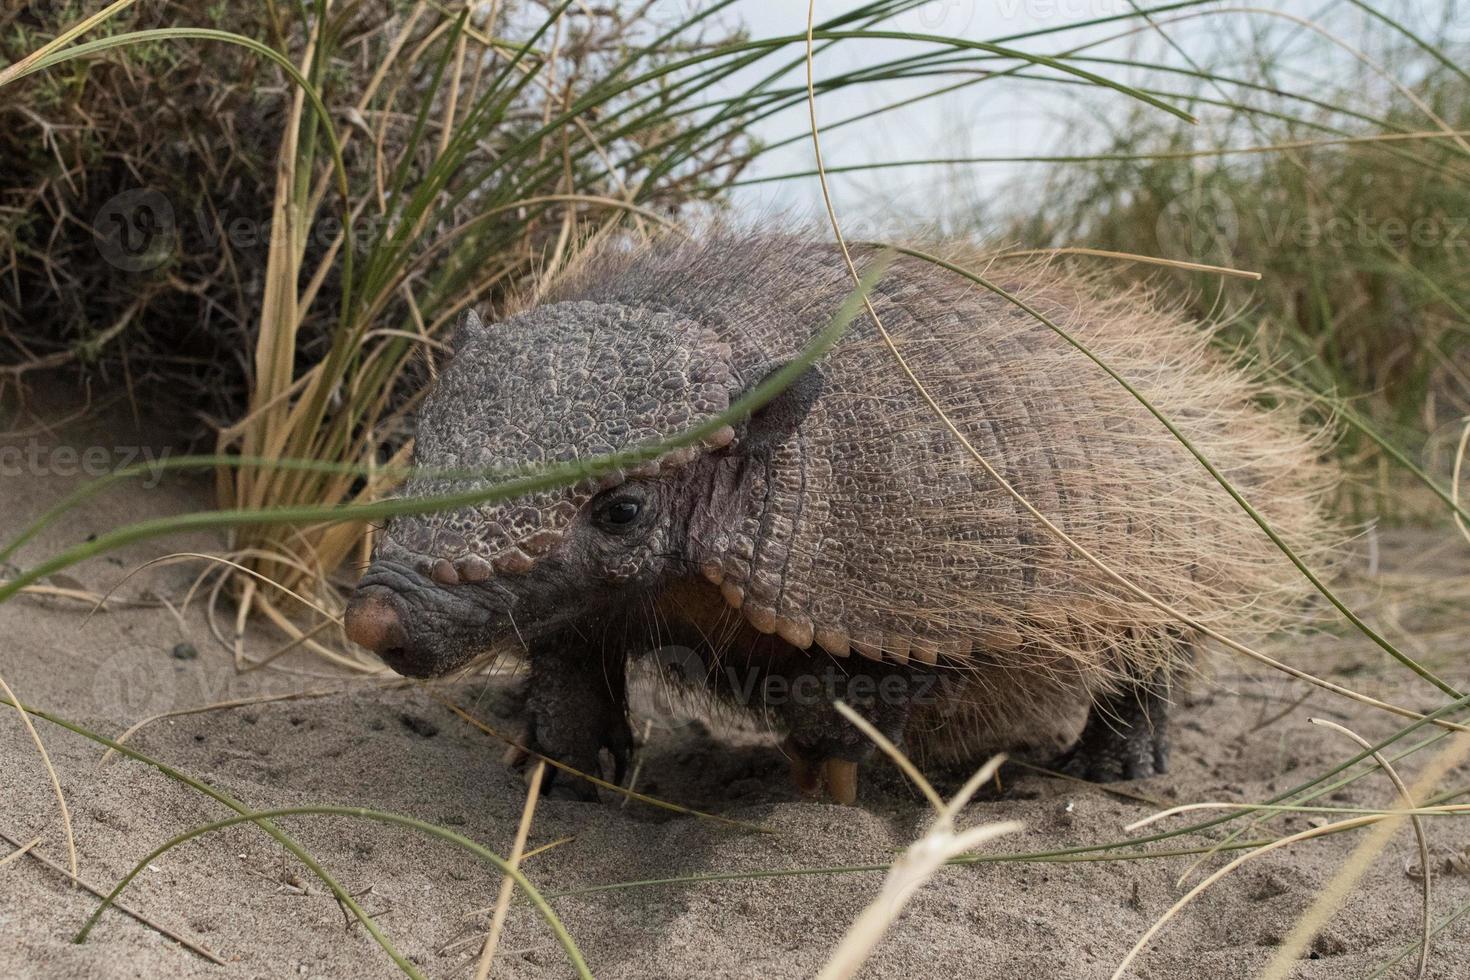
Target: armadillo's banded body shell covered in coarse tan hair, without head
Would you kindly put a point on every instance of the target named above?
(878, 534)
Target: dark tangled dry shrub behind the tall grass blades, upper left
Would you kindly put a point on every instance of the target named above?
(136, 218)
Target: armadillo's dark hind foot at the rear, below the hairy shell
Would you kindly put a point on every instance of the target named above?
(1127, 735)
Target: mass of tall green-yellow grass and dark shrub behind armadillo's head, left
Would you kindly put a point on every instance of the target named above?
(311, 262)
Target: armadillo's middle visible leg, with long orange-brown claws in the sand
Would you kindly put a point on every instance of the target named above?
(825, 750)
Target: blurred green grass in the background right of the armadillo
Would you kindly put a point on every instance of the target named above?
(1356, 209)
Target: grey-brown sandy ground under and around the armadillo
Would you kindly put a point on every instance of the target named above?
(246, 900)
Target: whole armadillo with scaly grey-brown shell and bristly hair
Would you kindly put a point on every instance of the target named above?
(842, 533)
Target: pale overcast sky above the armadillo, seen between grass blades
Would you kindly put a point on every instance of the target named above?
(1019, 118)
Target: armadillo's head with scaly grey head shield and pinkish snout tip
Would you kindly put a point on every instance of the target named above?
(564, 383)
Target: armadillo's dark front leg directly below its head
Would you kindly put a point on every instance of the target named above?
(577, 706)
